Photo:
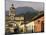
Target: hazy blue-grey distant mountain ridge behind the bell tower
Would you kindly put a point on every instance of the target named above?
(21, 10)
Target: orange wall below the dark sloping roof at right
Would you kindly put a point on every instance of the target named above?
(38, 24)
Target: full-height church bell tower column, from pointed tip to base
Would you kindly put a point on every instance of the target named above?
(11, 18)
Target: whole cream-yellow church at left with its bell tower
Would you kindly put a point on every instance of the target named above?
(12, 21)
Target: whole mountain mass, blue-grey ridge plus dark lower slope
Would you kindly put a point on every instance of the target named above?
(27, 12)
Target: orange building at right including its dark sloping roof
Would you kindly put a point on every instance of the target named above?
(39, 23)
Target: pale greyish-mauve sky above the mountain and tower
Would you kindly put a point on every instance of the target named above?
(36, 5)
